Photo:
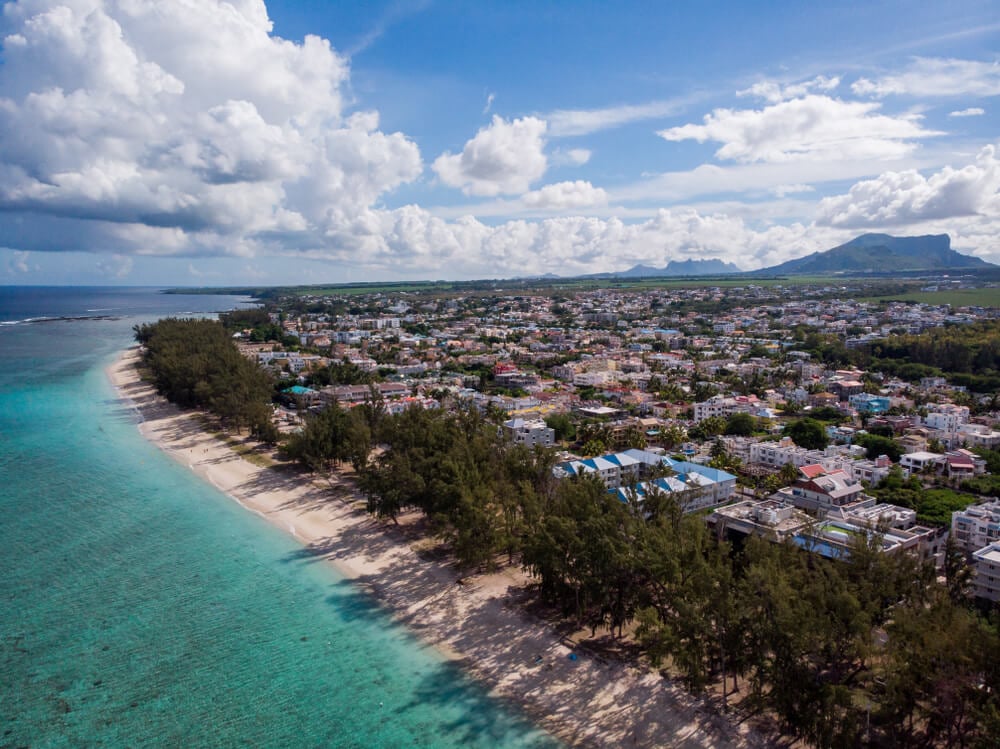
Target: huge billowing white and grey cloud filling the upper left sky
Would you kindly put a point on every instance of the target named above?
(179, 128)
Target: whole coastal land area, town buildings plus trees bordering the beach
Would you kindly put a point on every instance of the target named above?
(782, 494)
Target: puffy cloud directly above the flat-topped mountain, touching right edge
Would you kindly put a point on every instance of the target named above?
(899, 198)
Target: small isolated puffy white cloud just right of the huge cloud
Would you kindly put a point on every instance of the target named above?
(503, 157)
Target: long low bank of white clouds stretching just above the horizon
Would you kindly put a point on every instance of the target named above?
(412, 238)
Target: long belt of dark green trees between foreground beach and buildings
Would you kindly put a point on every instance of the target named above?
(864, 652)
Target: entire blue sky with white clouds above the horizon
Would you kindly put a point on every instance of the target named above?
(233, 142)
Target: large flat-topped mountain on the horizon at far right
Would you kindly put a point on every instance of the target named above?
(881, 253)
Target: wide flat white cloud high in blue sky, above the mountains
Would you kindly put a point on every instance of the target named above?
(813, 127)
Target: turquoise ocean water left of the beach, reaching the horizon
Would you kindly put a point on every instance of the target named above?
(140, 607)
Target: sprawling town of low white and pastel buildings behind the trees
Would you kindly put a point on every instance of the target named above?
(705, 382)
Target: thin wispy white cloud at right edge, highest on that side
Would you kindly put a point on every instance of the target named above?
(935, 76)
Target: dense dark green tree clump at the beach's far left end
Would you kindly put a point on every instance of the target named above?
(194, 363)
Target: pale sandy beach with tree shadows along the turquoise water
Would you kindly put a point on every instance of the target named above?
(475, 621)
